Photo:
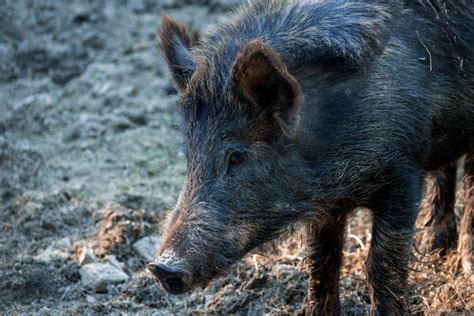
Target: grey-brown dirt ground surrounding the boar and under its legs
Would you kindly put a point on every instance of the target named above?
(90, 160)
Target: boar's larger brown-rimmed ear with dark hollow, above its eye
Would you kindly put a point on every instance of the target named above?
(260, 74)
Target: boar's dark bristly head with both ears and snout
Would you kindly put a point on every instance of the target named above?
(244, 181)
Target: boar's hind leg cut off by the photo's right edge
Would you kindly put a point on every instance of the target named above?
(466, 230)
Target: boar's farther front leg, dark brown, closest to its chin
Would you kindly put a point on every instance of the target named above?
(324, 249)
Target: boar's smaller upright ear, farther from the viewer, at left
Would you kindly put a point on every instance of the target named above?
(175, 44)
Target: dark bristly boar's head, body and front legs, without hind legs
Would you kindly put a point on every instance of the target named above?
(304, 110)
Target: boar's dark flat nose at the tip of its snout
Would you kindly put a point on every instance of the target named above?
(170, 279)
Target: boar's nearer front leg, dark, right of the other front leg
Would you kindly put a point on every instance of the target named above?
(394, 215)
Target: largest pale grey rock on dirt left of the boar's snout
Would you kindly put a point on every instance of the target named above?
(98, 276)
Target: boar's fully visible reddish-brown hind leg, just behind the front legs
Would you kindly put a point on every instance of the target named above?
(437, 212)
